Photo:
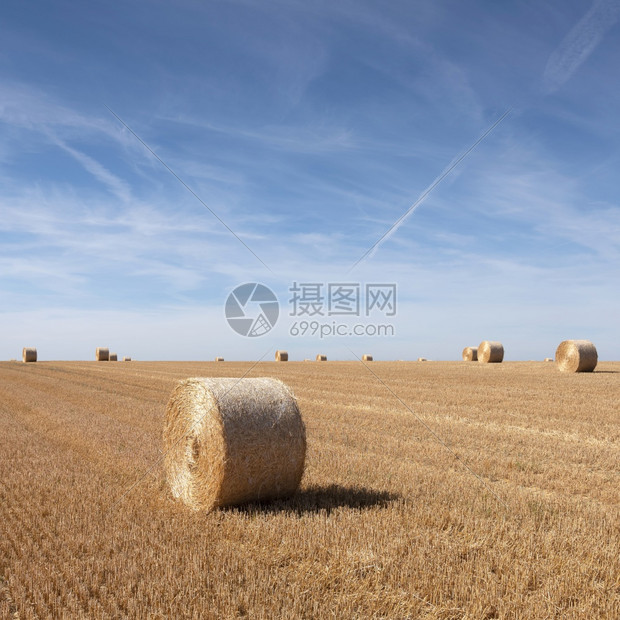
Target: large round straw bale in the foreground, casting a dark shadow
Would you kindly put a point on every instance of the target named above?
(231, 441)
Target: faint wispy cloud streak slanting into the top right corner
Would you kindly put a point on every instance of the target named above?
(579, 43)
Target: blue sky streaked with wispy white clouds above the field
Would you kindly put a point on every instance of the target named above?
(309, 128)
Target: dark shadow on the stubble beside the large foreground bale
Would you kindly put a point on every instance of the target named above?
(321, 499)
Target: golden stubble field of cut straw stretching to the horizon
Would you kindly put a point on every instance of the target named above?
(389, 523)
